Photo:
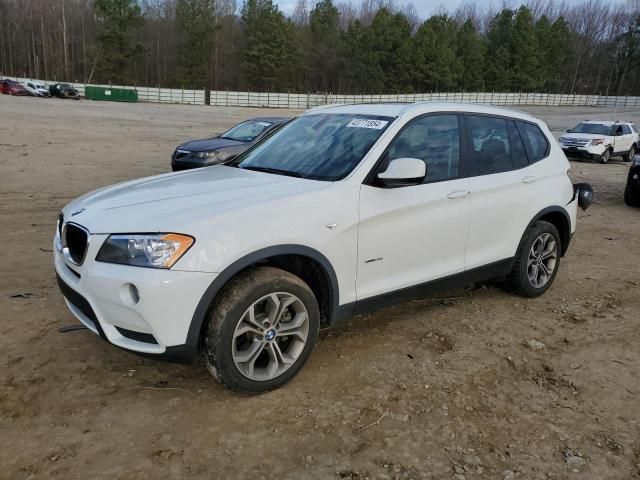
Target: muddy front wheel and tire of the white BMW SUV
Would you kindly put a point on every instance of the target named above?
(261, 331)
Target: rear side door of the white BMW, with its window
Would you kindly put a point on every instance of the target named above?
(506, 190)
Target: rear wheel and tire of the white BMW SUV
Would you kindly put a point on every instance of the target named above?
(537, 261)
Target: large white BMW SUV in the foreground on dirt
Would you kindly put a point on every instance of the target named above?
(343, 209)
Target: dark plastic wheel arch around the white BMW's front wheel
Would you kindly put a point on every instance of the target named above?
(307, 263)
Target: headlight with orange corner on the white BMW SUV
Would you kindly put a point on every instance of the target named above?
(159, 250)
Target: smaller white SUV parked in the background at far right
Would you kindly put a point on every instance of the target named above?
(601, 140)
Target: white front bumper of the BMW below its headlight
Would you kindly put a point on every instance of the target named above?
(157, 324)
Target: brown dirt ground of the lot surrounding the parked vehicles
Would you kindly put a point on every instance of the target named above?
(442, 388)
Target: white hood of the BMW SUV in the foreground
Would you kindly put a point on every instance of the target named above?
(174, 202)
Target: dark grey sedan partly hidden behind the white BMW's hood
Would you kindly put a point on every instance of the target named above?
(225, 147)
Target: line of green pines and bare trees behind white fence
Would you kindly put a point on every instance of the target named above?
(377, 46)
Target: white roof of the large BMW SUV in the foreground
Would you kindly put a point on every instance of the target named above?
(398, 109)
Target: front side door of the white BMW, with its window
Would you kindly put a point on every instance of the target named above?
(413, 234)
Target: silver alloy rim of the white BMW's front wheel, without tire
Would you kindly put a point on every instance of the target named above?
(270, 336)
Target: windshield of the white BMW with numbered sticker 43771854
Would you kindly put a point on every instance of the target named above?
(319, 146)
